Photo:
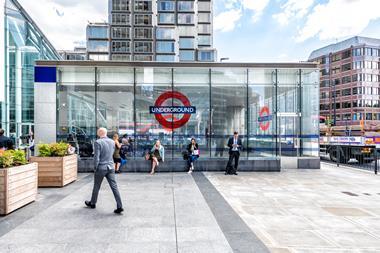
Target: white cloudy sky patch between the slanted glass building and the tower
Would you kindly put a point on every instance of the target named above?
(64, 21)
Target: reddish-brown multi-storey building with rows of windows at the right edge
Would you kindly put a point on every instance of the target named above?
(349, 81)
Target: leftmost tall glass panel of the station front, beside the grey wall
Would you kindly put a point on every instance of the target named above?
(76, 108)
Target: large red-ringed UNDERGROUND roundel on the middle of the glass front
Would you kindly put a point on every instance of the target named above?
(159, 110)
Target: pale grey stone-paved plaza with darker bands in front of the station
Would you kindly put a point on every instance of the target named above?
(327, 210)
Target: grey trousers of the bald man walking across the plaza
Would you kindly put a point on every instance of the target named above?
(108, 173)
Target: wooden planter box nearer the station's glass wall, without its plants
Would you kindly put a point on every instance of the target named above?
(56, 171)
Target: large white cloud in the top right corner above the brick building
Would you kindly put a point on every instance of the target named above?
(339, 18)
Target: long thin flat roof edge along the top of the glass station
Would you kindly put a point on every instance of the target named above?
(301, 65)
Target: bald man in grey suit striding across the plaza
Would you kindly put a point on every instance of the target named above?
(104, 167)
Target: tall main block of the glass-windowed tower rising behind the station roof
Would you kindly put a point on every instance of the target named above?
(161, 30)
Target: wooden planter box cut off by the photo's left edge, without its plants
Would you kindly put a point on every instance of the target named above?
(18, 187)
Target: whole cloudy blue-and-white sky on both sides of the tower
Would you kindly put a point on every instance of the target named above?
(244, 30)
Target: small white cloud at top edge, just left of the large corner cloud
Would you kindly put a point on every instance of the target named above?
(293, 9)
